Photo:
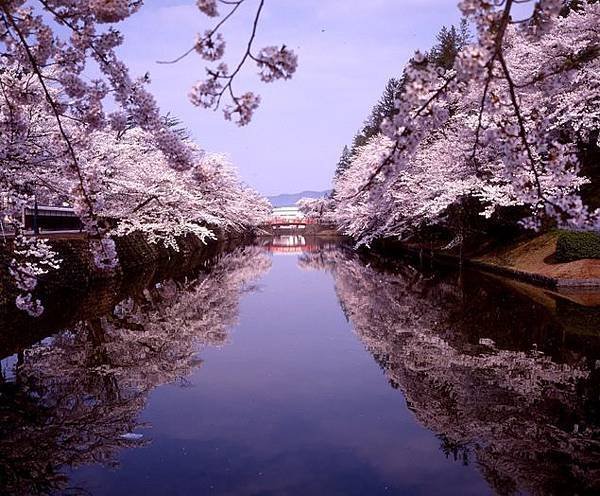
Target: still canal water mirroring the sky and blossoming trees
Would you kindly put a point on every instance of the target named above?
(298, 369)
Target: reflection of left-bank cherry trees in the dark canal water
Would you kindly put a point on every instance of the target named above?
(75, 397)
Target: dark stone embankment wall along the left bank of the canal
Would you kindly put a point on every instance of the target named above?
(79, 291)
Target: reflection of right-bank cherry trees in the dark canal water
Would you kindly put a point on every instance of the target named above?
(529, 419)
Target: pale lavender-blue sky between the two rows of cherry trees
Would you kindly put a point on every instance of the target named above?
(347, 50)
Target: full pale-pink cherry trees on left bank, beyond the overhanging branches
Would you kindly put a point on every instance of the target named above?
(145, 195)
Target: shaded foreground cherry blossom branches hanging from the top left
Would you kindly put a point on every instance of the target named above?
(66, 36)
